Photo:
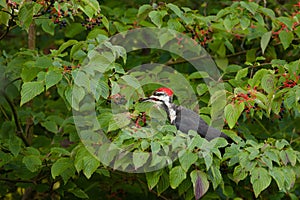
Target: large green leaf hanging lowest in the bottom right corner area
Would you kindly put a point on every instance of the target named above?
(260, 180)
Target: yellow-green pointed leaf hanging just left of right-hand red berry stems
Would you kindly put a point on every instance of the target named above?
(233, 112)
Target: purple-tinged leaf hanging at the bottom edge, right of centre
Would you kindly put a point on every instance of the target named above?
(200, 183)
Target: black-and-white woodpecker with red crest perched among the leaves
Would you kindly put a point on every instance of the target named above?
(184, 119)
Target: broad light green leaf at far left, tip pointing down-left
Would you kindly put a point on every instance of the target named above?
(30, 90)
